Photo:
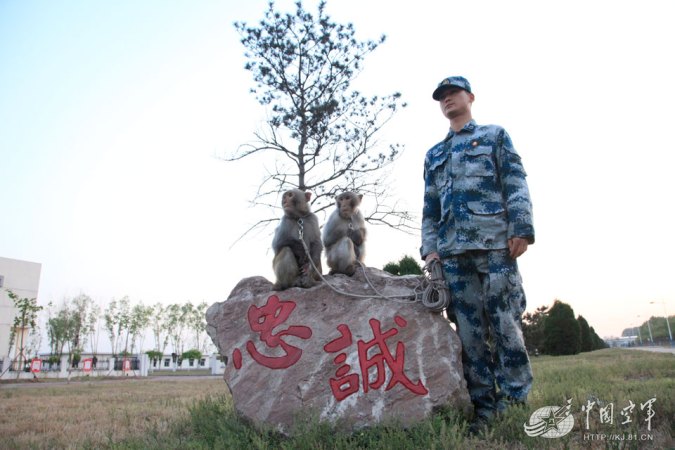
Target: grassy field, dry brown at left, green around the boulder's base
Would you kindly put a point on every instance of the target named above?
(196, 413)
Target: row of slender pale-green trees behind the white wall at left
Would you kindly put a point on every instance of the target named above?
(74, 326)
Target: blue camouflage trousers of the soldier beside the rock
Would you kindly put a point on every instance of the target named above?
(487, 303)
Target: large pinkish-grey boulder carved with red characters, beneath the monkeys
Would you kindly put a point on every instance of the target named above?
(352, 361)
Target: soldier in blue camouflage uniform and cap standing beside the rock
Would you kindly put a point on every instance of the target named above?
(477, 220)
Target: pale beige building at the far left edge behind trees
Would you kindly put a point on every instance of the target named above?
(22, 278)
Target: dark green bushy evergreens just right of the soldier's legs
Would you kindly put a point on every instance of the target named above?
(555, 331)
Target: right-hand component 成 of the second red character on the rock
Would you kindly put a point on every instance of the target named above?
(378, 361)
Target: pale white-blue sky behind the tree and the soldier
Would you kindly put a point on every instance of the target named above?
(114, 117)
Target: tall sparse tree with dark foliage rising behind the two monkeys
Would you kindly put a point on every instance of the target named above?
(323, 133)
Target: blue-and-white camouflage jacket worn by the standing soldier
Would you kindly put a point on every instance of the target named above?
(475, 193)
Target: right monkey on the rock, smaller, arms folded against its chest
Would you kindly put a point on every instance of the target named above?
(344, 235)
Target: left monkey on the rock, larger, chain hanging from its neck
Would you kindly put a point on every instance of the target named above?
(291, 264)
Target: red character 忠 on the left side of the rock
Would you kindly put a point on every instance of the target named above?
(263, 320)
